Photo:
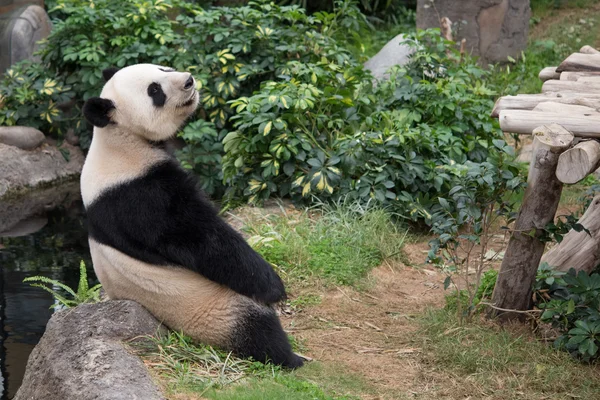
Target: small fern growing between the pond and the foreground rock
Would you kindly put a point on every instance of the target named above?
(84, 293)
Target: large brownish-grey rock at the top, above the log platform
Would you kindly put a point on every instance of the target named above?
(494, 29)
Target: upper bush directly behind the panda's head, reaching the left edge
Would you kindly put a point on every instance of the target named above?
(229, 50)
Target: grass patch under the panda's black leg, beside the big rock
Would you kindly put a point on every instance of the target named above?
(183, 366)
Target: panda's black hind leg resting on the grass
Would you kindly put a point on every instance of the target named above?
(259, 335)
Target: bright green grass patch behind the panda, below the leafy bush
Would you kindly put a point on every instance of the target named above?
(337, 243)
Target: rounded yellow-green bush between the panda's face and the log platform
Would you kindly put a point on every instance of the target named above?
(324, 130)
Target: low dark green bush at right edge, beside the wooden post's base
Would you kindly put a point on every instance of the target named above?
(571, 303)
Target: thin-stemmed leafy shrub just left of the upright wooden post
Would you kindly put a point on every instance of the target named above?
(476, 204)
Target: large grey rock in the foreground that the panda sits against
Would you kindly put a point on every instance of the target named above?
(81, 357)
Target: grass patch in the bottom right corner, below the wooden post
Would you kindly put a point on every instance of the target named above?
(497, 363)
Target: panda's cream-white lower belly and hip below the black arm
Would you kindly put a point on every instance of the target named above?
(180, 298)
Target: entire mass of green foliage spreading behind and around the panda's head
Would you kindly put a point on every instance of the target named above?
(286, 110)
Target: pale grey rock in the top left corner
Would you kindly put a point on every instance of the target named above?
(20, 32)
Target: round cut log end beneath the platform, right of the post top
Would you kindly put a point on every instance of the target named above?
(578, 162)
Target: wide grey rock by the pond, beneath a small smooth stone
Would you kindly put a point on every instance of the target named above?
(23, 170)
